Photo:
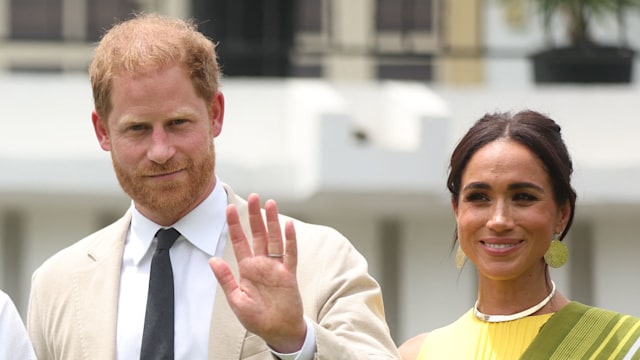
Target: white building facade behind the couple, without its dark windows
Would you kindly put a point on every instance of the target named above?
(363, 155)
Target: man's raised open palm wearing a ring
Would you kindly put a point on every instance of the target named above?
(265, 298)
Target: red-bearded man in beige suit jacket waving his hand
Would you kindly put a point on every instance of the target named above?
(157, 111)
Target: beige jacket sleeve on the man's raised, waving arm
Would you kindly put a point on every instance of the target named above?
(340, 296)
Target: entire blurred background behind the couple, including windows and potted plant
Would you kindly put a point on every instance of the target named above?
(345, 111)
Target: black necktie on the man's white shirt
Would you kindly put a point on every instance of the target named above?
(157, 338)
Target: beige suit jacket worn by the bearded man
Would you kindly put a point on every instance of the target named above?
(74, 295)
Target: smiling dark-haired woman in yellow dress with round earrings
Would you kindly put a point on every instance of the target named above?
(511, 193)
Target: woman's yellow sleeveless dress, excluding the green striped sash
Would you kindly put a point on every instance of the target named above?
(469, 338)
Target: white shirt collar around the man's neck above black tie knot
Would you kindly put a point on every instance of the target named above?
(202, 226)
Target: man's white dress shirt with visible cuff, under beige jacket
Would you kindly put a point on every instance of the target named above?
(204, 234)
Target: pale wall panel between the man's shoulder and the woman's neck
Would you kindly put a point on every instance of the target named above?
(433, 291)
